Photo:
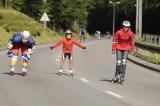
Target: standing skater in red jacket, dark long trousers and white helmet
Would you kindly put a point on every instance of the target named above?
(123, 42)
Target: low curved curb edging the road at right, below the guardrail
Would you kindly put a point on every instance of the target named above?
(144, 64)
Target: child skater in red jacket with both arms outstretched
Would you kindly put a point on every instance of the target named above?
(67, 42)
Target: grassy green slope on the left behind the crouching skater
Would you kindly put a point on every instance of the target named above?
(12, 22)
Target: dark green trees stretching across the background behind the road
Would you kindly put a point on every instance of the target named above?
(95, 14)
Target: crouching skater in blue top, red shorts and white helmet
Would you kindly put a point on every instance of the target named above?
(24, 42)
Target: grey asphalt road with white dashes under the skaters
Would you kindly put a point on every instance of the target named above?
(90, 86)
